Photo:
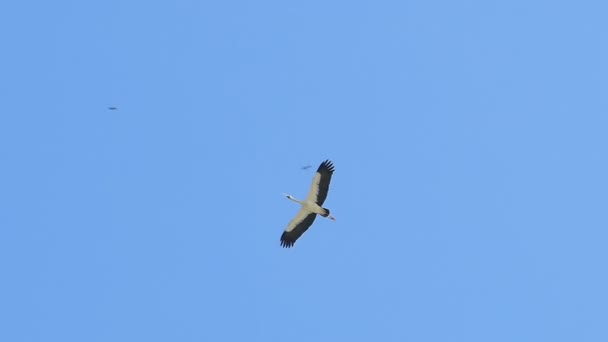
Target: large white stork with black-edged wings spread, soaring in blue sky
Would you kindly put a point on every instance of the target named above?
(311, 206)
